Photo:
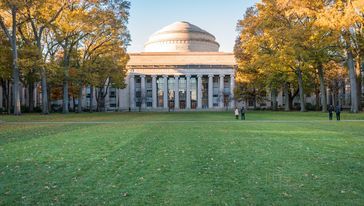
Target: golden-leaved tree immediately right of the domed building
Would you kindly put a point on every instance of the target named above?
(277, 40)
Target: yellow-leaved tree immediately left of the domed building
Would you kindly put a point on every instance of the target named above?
(107, 35)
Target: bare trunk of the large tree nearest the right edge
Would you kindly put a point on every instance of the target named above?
(353, 83)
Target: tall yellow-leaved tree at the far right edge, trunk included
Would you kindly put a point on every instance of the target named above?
(346, 17)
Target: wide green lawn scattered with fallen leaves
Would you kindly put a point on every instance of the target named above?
(273, 158)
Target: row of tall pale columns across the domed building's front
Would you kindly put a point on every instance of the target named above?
(181, 91)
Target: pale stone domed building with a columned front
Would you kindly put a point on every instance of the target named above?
(180, 68)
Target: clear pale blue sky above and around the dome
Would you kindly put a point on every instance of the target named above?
(218, 17)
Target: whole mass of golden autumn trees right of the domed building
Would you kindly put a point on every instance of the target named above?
(300, 47)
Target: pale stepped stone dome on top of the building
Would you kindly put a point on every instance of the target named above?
(181, 37)
